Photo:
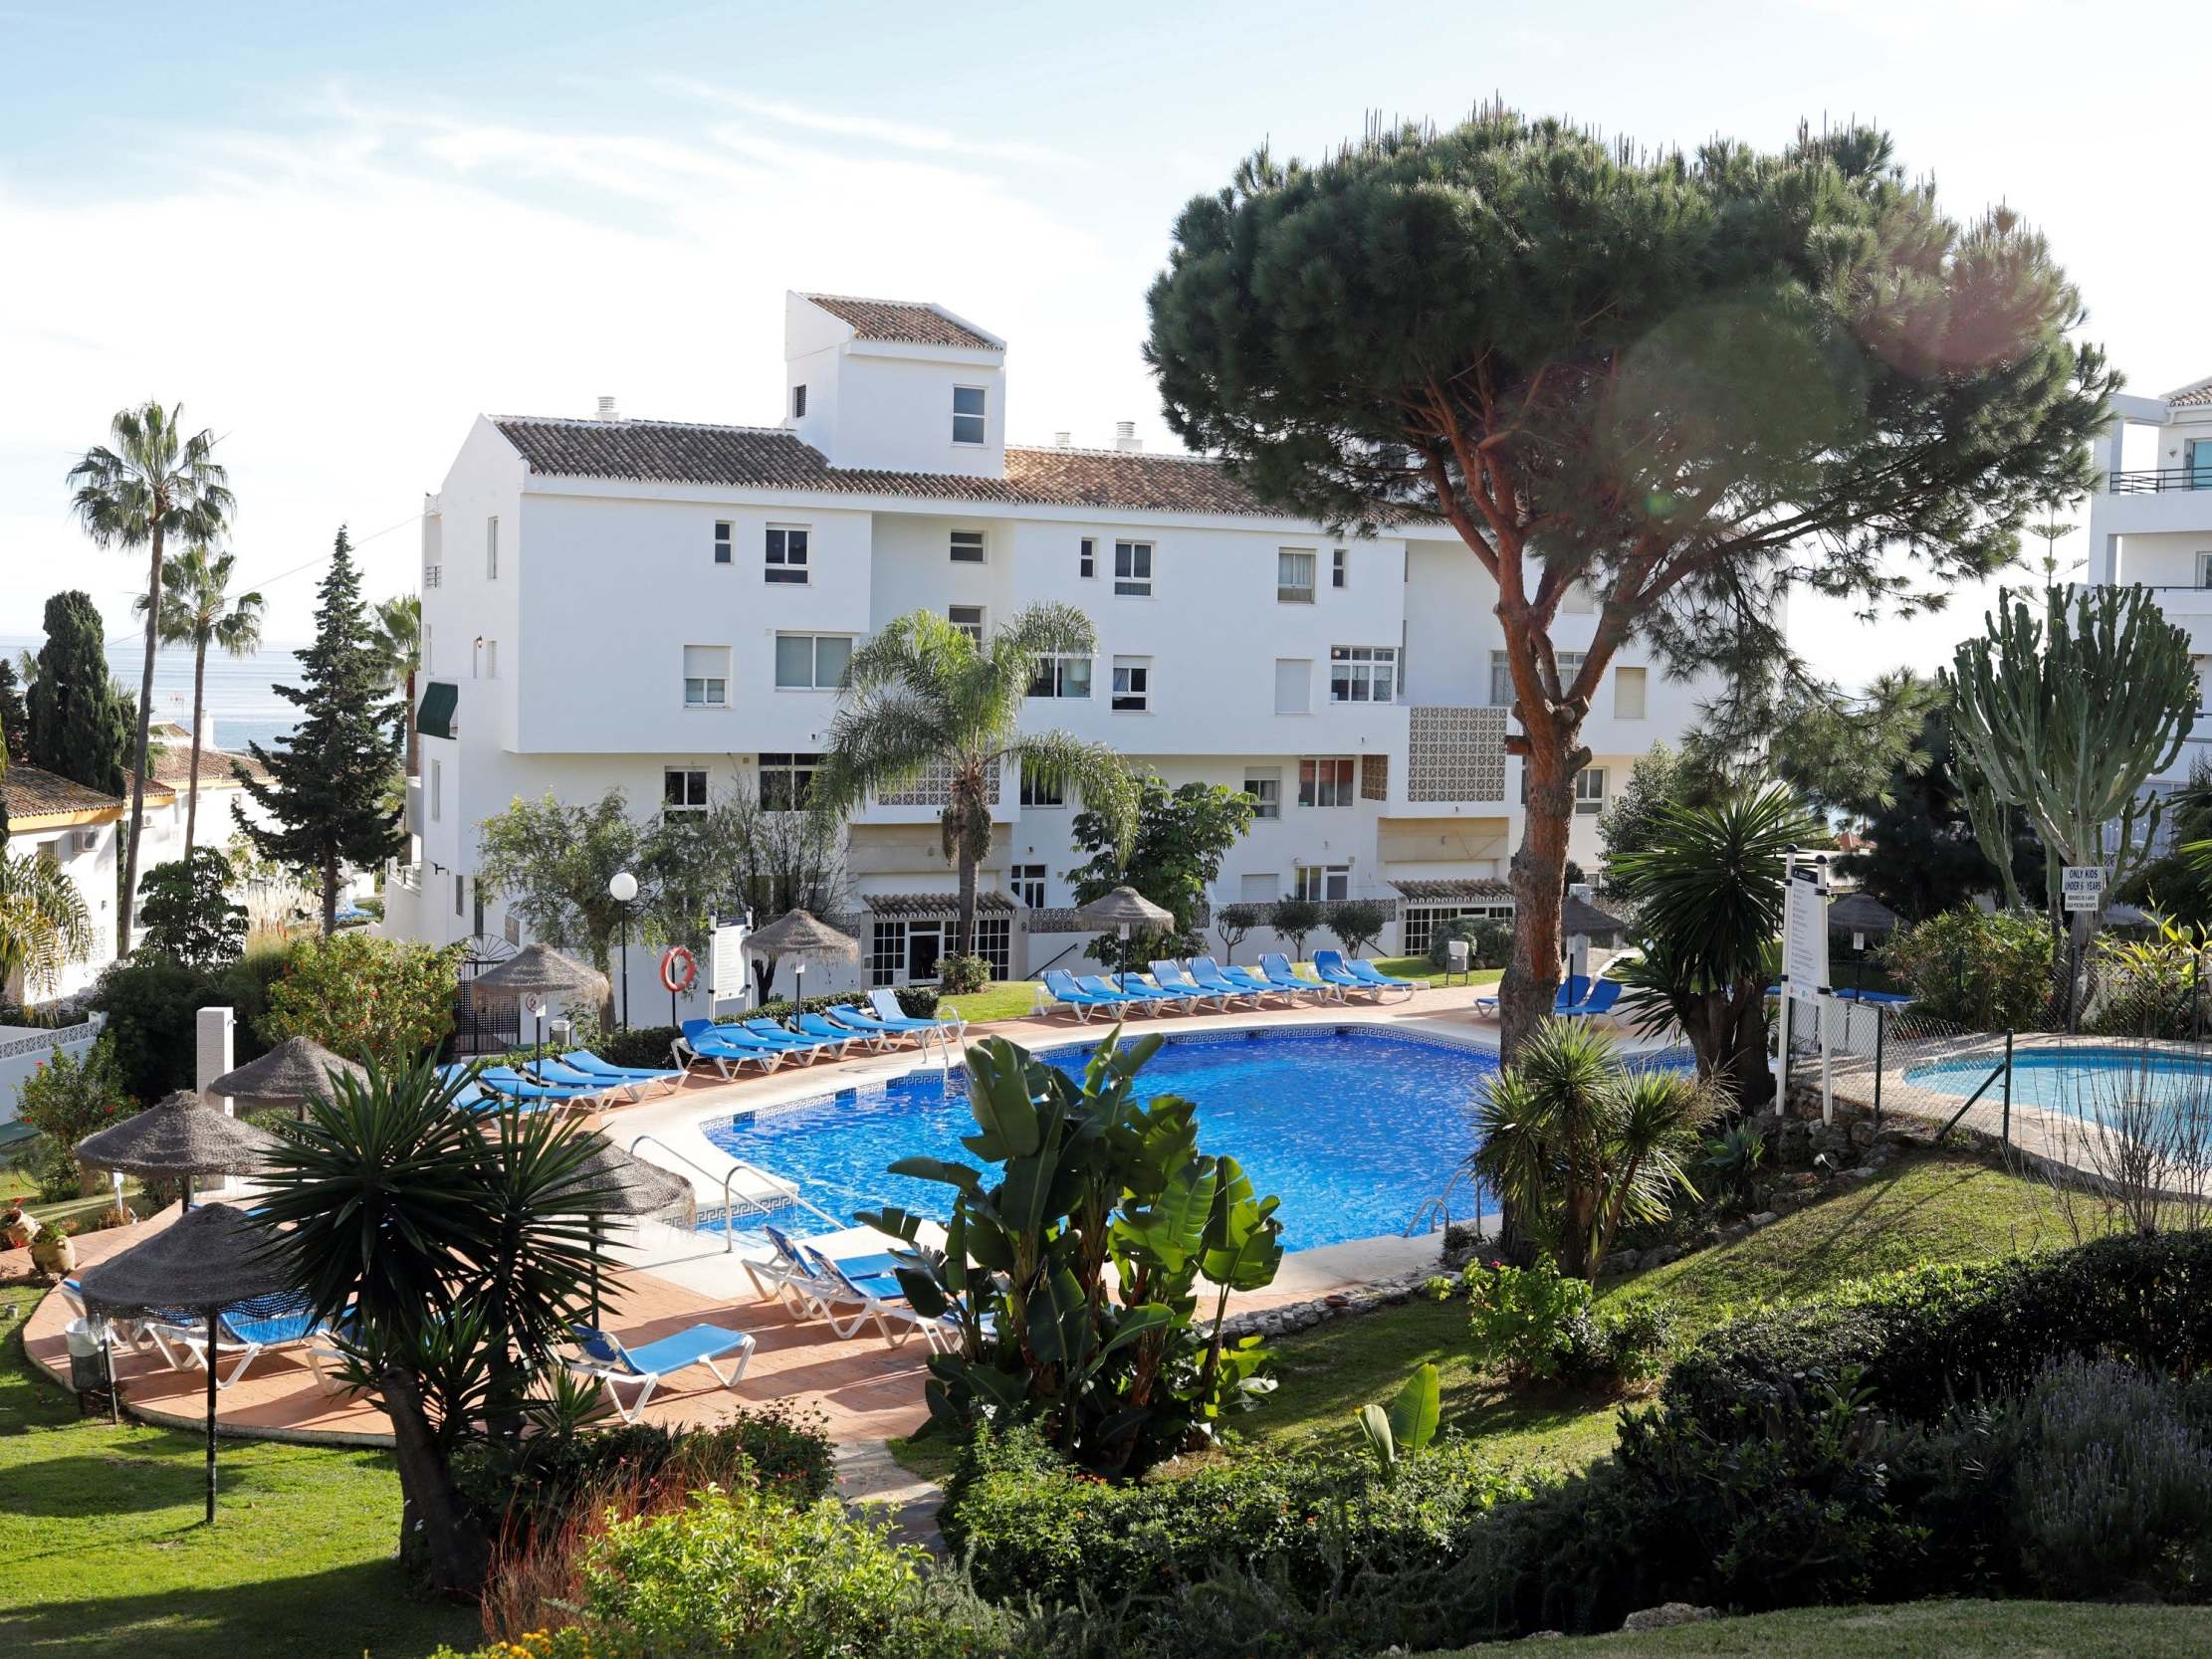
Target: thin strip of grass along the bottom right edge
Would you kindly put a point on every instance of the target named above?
(1917, 1631)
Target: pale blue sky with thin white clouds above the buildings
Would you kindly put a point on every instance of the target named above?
(337, 236)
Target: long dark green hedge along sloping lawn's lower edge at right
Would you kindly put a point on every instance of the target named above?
(1928, 1337)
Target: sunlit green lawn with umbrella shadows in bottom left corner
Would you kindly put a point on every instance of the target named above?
(103, 1550)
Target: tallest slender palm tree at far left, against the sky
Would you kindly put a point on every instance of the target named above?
(147, 486)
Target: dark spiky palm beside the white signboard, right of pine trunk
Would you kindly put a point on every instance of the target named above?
(1709, 906)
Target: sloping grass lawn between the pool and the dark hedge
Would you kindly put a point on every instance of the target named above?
(1939, 1207)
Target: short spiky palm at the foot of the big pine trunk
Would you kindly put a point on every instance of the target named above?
(1576, 1142)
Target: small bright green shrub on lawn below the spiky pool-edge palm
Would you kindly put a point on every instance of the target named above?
(1536, 1326)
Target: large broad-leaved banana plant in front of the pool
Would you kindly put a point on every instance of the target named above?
(1072, 1262)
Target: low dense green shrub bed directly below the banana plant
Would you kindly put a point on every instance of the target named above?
(1032, 1525)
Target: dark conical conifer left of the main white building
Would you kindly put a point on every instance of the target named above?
(331, 778)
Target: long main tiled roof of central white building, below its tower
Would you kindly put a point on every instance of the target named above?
(671, 452)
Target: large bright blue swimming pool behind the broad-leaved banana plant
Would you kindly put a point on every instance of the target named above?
(1353, 1129)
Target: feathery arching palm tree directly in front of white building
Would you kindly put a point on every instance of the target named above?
(928, 700)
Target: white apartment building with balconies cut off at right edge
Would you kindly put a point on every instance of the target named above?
(2151, 525)
